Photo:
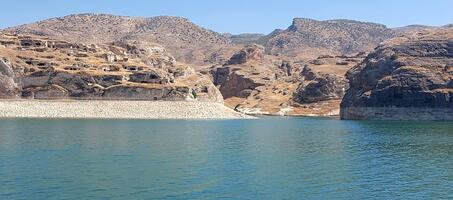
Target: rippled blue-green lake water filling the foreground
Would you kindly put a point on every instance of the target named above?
(270, 158)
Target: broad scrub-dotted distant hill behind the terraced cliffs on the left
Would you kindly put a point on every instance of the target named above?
(188, 42)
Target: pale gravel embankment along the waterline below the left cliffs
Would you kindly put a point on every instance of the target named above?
(116, 109)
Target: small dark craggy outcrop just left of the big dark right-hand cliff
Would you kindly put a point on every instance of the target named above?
(319, 87)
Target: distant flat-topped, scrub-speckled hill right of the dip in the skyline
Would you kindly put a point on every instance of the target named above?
(307, 37)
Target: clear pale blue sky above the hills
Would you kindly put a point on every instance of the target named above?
(239, 16)
